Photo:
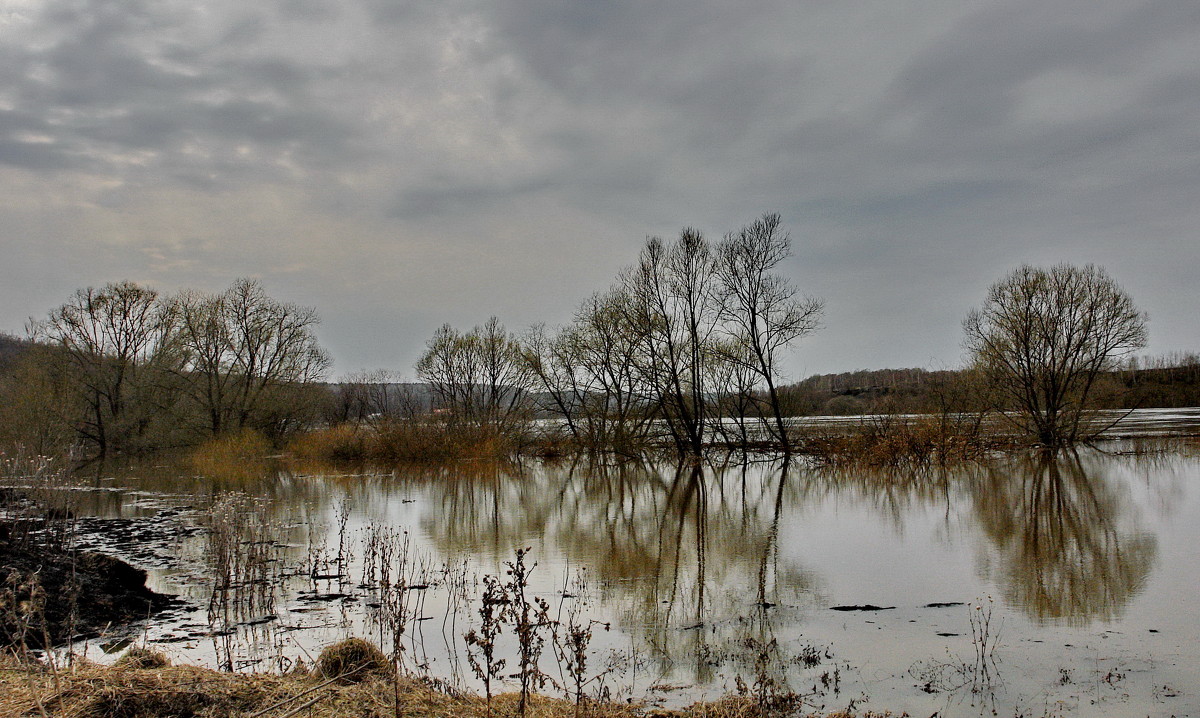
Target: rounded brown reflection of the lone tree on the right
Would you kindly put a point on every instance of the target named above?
(1067, 549)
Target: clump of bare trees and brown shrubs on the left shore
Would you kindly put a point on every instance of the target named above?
(124, 370)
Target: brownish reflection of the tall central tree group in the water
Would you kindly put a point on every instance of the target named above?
(686, 557)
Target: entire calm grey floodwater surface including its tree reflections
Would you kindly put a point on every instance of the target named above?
(1031, 585)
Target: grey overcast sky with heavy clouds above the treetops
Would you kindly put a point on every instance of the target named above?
(400, 165)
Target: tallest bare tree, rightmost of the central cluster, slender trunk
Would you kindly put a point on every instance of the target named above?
(763, 312)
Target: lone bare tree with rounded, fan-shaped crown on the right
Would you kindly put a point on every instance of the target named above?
(1043, 337)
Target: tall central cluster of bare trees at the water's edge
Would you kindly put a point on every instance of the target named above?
(688, 337)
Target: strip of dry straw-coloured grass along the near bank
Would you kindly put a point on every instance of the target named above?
(91, 691)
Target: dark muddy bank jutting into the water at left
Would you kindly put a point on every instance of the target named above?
(51, 591)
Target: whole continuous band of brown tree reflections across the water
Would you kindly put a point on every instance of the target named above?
(677, 546)
